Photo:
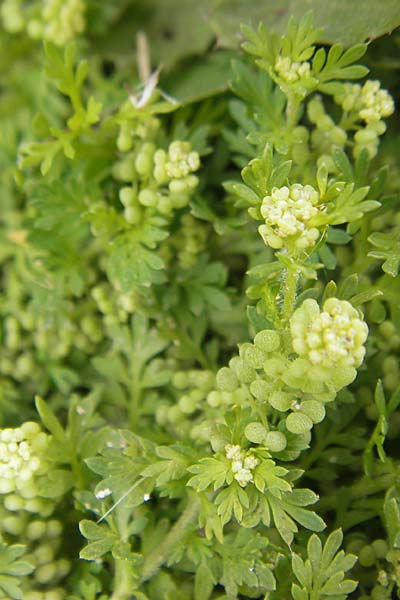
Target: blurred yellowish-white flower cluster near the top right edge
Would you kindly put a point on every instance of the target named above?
(370, 102)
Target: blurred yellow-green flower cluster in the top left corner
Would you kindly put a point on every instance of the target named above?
(57, 21)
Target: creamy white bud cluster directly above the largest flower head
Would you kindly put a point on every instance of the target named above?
(287, 213)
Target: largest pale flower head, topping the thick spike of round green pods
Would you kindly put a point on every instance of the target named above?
(334, 337)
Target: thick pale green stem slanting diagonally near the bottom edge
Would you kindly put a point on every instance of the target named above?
(158, 557)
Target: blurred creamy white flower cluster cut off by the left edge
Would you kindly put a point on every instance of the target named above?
(20, 451)
